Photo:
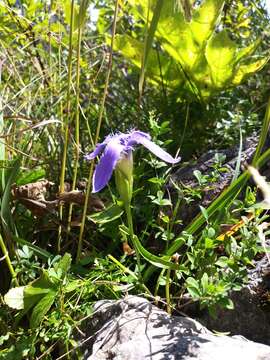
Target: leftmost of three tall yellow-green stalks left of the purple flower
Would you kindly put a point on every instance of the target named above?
(66, 125)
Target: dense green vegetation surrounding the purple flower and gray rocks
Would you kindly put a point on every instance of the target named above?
(192, 75)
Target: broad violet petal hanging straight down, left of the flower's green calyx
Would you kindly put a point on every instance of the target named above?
(106, 165)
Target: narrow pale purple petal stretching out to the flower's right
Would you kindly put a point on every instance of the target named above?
(142, 138)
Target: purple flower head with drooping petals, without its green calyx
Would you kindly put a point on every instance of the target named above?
(120, 146)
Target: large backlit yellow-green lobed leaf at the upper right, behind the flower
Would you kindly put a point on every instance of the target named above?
(196, 59)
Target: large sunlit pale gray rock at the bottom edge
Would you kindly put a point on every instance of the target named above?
(134, 329)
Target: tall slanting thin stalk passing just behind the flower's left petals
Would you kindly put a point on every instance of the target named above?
(102, 107)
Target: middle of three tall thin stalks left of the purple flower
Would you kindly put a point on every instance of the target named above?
(77, 123)
